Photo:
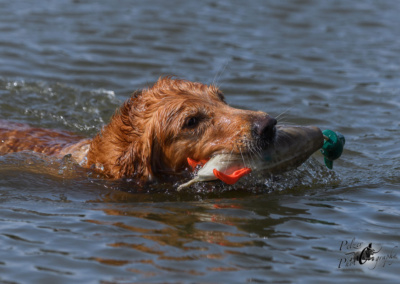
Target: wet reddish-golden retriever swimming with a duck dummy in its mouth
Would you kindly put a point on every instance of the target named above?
(154, 132)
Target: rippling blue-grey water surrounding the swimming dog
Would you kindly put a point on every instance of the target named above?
(335, 64)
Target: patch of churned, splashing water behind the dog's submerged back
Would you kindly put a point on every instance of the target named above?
(52, 105)
